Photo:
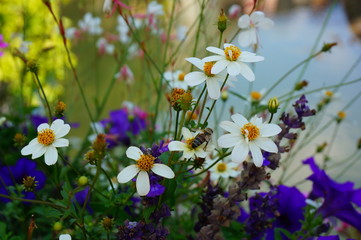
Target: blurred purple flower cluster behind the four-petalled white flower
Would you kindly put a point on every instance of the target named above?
(123, 123)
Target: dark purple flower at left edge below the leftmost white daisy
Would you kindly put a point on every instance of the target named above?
(13, 175)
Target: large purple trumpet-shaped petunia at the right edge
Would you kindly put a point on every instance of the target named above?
(338, 197)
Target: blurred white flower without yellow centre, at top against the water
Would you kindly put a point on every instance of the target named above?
(249, 24)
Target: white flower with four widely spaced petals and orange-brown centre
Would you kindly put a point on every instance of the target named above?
(145, 163)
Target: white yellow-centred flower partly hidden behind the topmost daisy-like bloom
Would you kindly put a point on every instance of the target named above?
(198, 77)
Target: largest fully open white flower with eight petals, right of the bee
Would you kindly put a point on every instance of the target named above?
(247, 136)
